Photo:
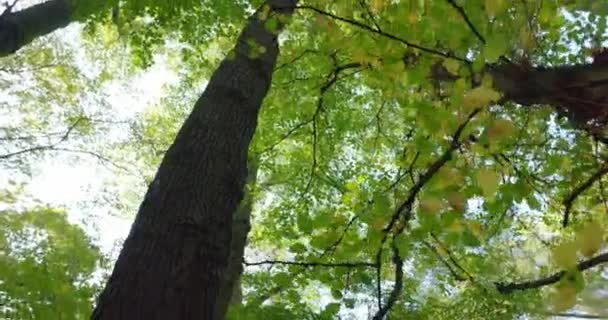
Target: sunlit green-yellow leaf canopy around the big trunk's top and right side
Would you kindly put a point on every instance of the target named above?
(394, 176)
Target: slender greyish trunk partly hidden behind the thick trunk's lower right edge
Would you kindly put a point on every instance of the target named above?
(230, 291)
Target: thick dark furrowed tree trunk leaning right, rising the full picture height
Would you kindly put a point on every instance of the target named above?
(173, 261)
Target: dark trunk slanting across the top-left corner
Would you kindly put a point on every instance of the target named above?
(22, 27)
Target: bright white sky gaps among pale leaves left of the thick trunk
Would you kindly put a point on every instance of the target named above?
(75, 185)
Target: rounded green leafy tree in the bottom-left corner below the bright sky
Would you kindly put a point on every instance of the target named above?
(47, 265)
